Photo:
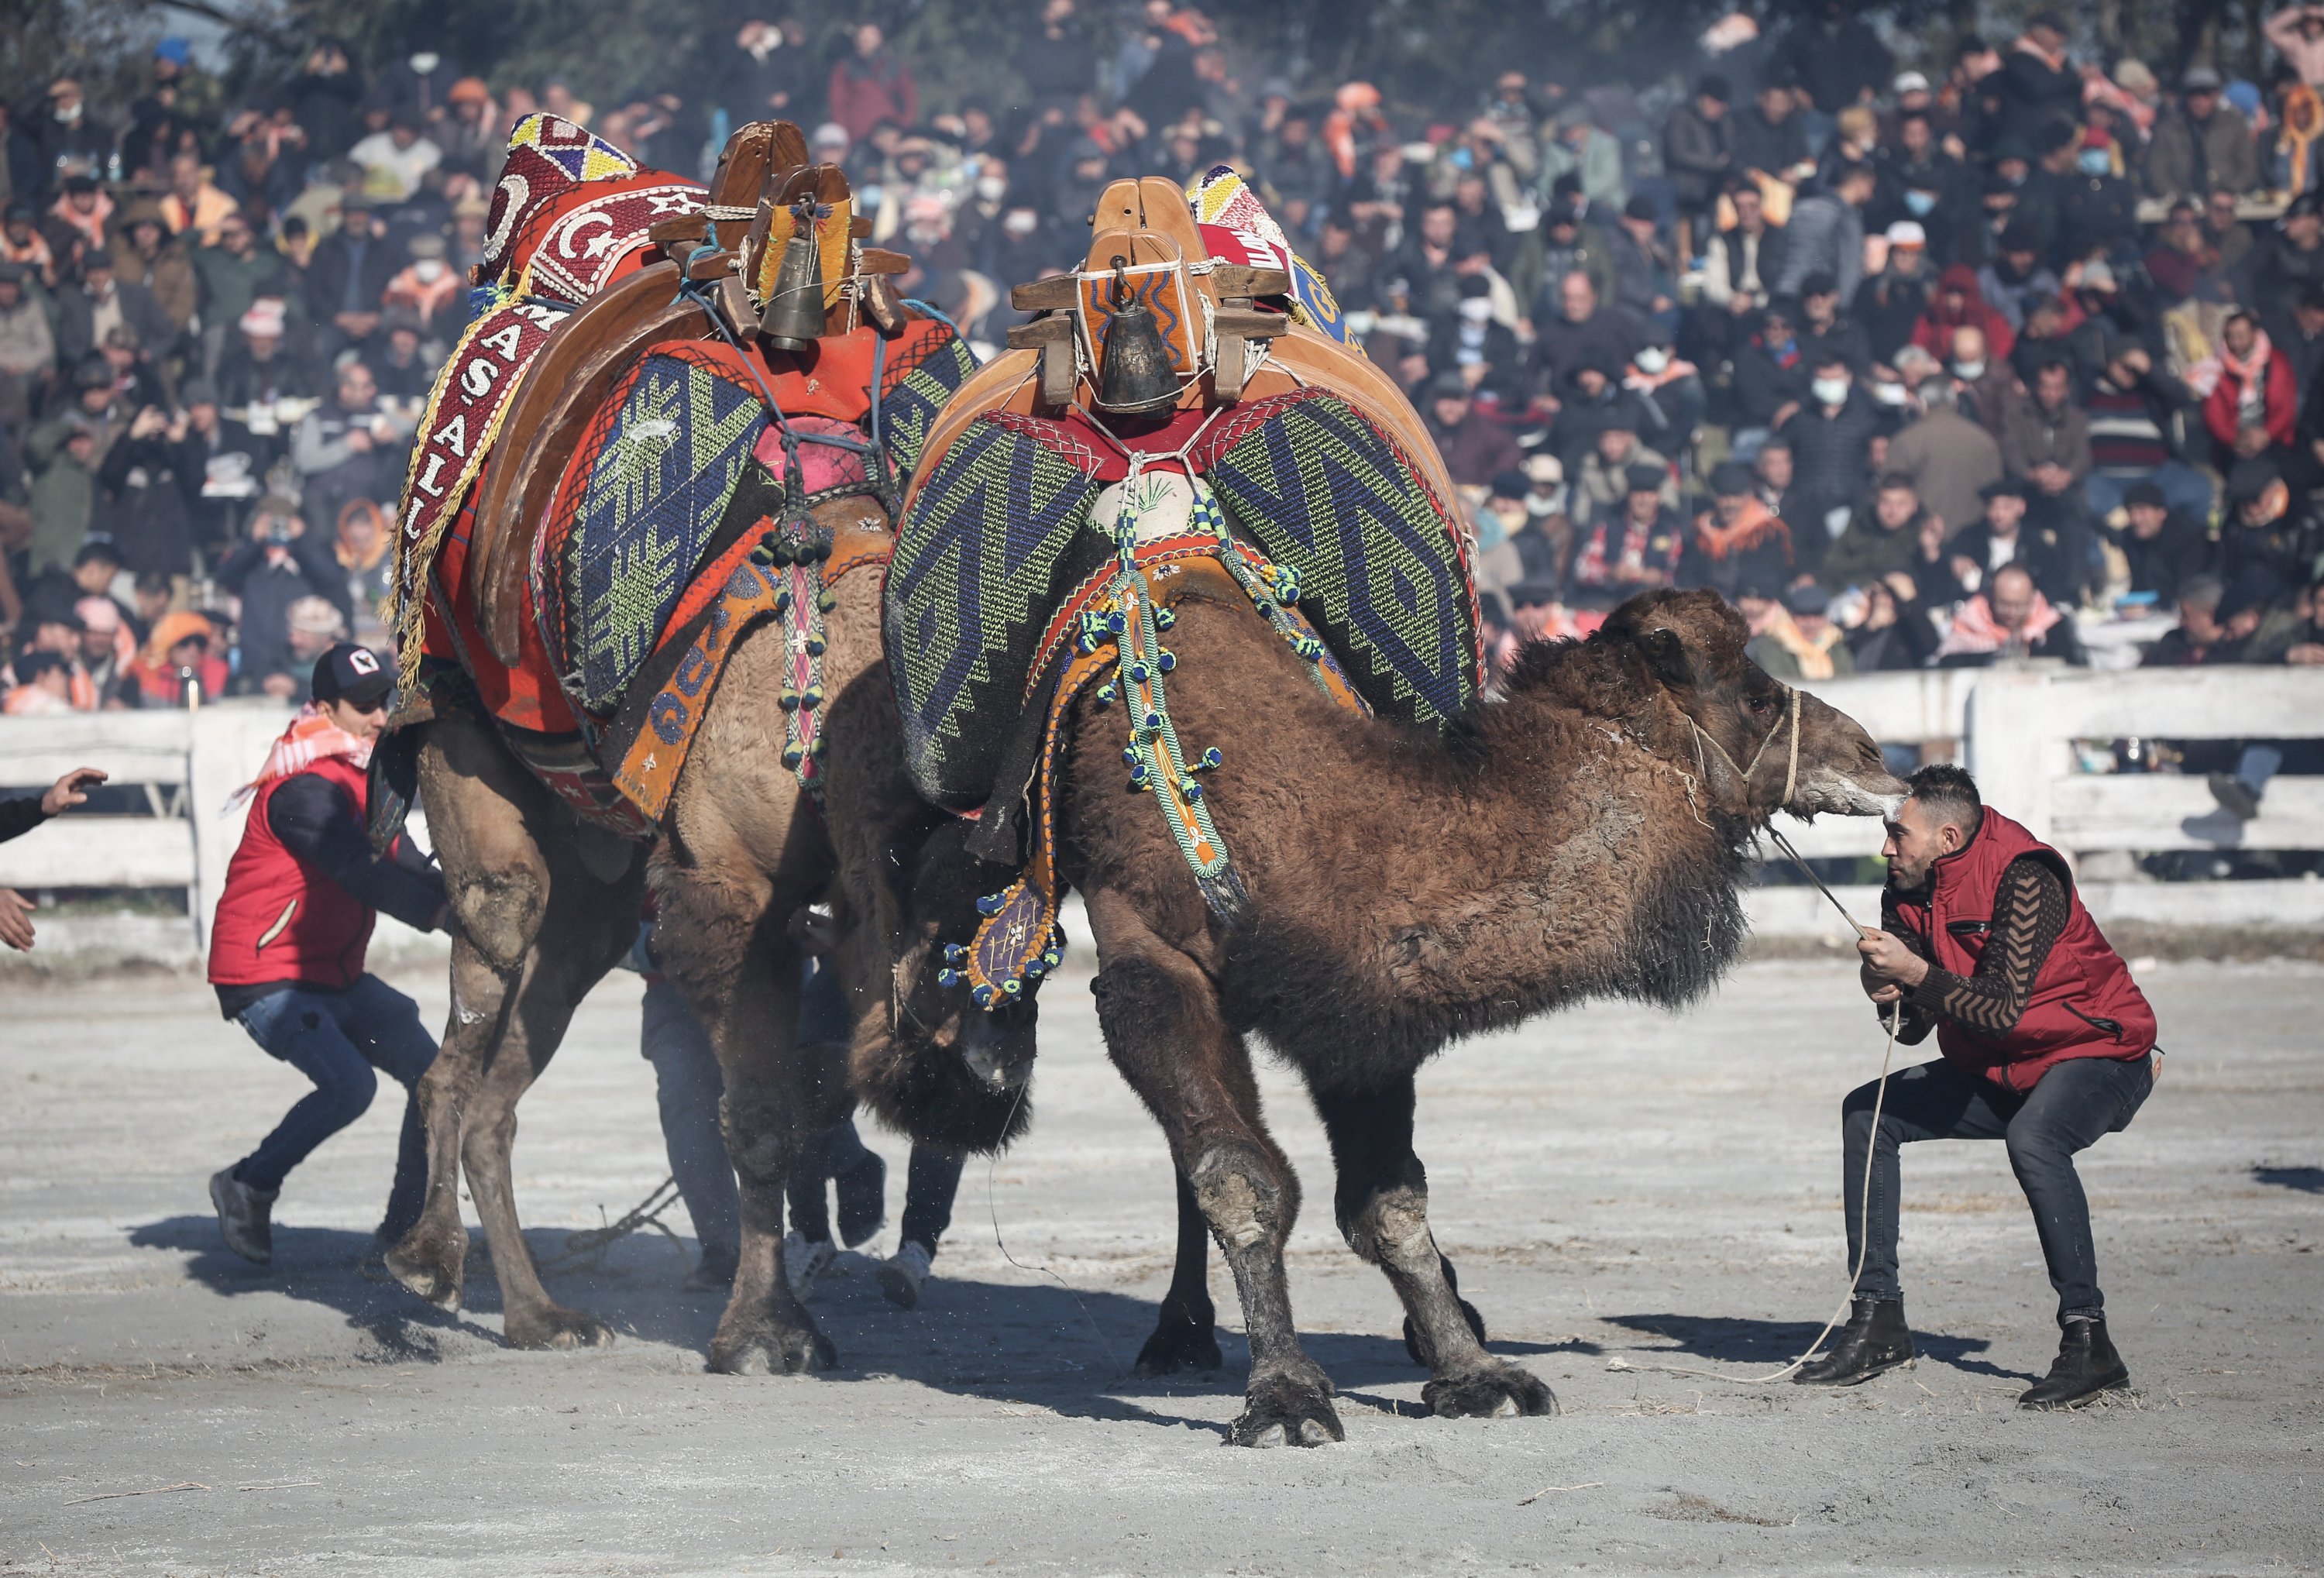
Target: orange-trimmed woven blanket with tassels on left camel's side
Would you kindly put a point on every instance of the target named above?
(652, 566)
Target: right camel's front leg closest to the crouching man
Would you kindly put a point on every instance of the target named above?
(1384, 1212)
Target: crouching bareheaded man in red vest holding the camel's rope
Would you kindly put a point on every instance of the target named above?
(2049, 1045)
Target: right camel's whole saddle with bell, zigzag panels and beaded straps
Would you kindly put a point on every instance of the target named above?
(1182, 419)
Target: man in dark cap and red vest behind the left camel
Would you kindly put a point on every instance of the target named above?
(287, 947)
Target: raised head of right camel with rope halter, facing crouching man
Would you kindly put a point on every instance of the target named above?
(1765, 747)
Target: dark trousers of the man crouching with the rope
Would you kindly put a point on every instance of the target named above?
(2067, 1112)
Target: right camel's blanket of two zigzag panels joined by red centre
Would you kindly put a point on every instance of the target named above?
(1007, 529)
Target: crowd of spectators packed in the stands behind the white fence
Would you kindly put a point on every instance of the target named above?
(2009, 357)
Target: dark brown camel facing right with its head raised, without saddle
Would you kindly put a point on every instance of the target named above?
(1581, 838)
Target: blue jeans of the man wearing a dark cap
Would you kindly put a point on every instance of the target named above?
(338, 1040)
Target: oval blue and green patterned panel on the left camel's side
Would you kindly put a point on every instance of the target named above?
(647, 492)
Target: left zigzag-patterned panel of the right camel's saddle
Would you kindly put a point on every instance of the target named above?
(991, 543)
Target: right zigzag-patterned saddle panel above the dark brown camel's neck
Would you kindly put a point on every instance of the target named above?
(1330, 496)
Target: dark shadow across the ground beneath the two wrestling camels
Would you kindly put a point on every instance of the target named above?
(1040, 1342)
